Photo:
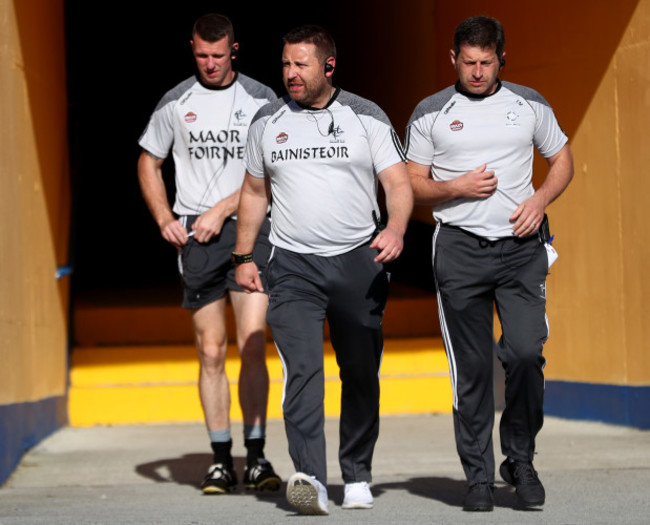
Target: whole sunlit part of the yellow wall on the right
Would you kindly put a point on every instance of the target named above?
(599, 294)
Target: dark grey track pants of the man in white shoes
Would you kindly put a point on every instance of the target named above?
(350, 290)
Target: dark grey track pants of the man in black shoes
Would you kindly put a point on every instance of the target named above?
(472, 276)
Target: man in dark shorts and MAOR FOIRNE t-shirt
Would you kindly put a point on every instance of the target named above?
(204, 121)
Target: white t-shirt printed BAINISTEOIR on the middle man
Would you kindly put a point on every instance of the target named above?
(323, 166)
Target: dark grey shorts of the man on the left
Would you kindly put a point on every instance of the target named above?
(206, 269)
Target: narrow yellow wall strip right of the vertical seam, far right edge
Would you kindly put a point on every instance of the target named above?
(633, 97)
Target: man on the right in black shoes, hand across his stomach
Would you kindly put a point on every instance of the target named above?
(470, 155)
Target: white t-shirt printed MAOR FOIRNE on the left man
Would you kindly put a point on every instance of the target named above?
(206, 128)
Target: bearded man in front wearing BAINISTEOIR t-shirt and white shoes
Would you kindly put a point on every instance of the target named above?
(323, 152)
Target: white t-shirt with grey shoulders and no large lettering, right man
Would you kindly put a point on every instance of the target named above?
(455, 133)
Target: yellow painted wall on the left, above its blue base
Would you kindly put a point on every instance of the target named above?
(34, 201)
